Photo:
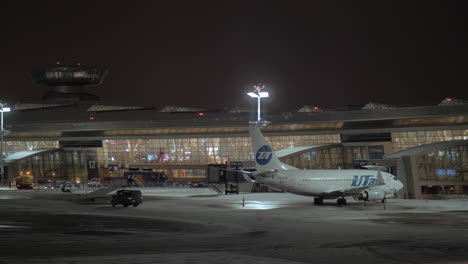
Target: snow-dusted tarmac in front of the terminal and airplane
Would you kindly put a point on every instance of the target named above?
(199, 226)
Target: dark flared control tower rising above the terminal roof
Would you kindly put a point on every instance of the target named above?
(69, 83)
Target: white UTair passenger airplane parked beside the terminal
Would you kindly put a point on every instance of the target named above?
(367, 185)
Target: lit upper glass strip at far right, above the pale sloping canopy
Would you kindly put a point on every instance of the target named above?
(404, 140)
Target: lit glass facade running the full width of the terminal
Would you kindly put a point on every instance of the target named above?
(185, 158)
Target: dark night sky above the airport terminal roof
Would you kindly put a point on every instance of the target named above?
(209, 53)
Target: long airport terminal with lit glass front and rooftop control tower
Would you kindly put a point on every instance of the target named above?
(70, 135)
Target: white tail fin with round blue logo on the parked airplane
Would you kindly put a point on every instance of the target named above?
(265, 158)
